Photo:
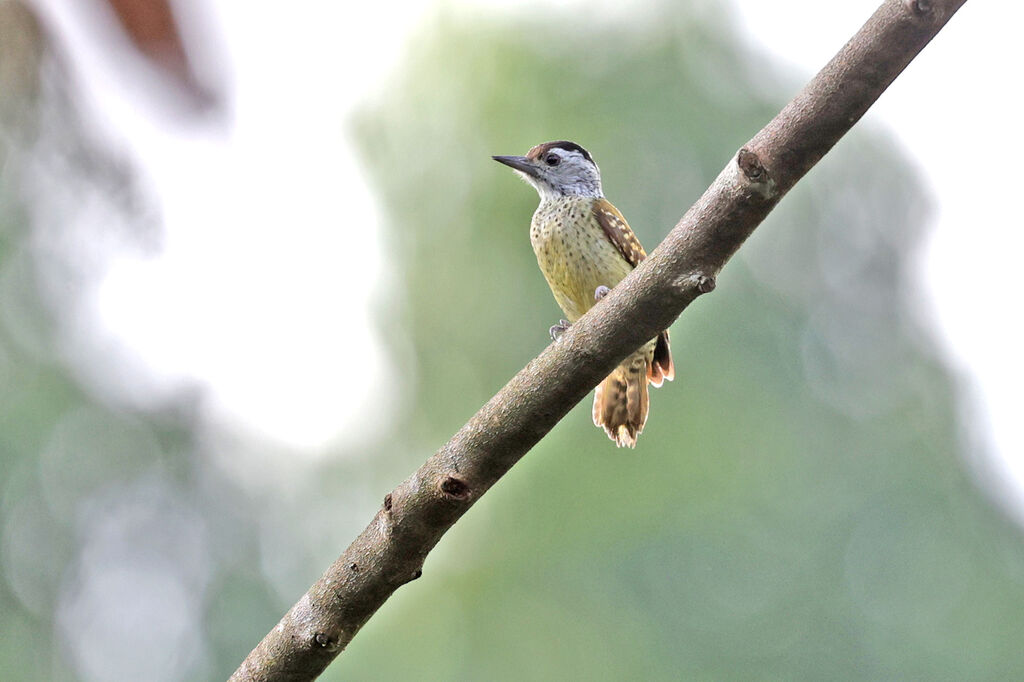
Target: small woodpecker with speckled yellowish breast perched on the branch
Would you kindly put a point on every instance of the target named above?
(585, 247)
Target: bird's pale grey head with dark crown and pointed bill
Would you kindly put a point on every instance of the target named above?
(559, 169)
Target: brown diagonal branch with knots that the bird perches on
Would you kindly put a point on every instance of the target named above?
(392, 550)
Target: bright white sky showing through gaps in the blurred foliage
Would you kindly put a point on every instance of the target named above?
(258, 241)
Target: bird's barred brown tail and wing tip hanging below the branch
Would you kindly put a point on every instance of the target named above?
(622, 401)
